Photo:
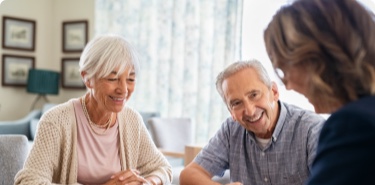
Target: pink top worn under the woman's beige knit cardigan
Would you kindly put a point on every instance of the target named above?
(98, 155)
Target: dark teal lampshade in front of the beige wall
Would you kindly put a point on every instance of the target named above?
(43, 81)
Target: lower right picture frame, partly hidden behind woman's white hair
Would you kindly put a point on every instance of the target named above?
(70, 75)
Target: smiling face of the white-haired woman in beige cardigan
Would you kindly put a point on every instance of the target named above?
(113, 91)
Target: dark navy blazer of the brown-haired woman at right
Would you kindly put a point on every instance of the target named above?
(346, 149)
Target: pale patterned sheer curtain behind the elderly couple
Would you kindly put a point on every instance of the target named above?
(182, 44)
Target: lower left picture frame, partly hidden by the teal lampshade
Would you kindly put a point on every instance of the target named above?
(15, 70)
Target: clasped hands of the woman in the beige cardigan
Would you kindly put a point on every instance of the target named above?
(128, 177)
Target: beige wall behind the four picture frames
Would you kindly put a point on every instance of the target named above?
(15, 102)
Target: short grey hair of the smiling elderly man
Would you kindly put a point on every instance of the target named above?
(238, 66)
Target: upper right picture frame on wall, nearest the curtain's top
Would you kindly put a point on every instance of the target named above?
(75, 35)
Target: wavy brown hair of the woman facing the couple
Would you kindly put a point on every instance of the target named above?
(333, 40)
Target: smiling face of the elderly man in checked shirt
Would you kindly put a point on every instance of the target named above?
(251, 103)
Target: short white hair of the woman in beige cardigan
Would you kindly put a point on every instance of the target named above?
(104, 53)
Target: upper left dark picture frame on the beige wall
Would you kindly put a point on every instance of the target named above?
(18, 33)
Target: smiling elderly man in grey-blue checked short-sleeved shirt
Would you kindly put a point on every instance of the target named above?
(265, 141)
